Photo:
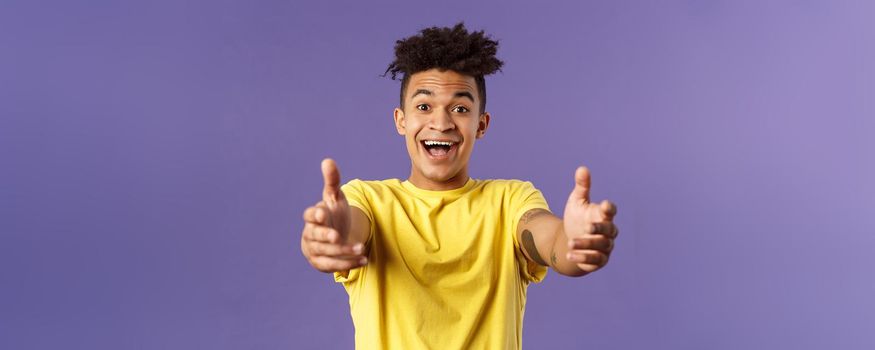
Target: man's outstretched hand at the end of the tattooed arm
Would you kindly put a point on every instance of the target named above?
(589, 227)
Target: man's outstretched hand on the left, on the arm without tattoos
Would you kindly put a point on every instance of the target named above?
(327, 226)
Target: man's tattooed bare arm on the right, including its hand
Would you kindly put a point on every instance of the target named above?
(579, 243)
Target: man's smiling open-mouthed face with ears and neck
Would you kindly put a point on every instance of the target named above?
(439, 122)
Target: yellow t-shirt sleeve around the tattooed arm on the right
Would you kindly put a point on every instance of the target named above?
(525, 197)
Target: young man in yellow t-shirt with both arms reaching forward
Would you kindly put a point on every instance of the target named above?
(441, 260)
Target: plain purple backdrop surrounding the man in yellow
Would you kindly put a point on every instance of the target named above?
(156, 159)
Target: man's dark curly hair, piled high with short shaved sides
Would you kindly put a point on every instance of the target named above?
(446, 49)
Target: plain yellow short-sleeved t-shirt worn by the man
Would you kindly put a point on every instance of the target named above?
(445, 270)
